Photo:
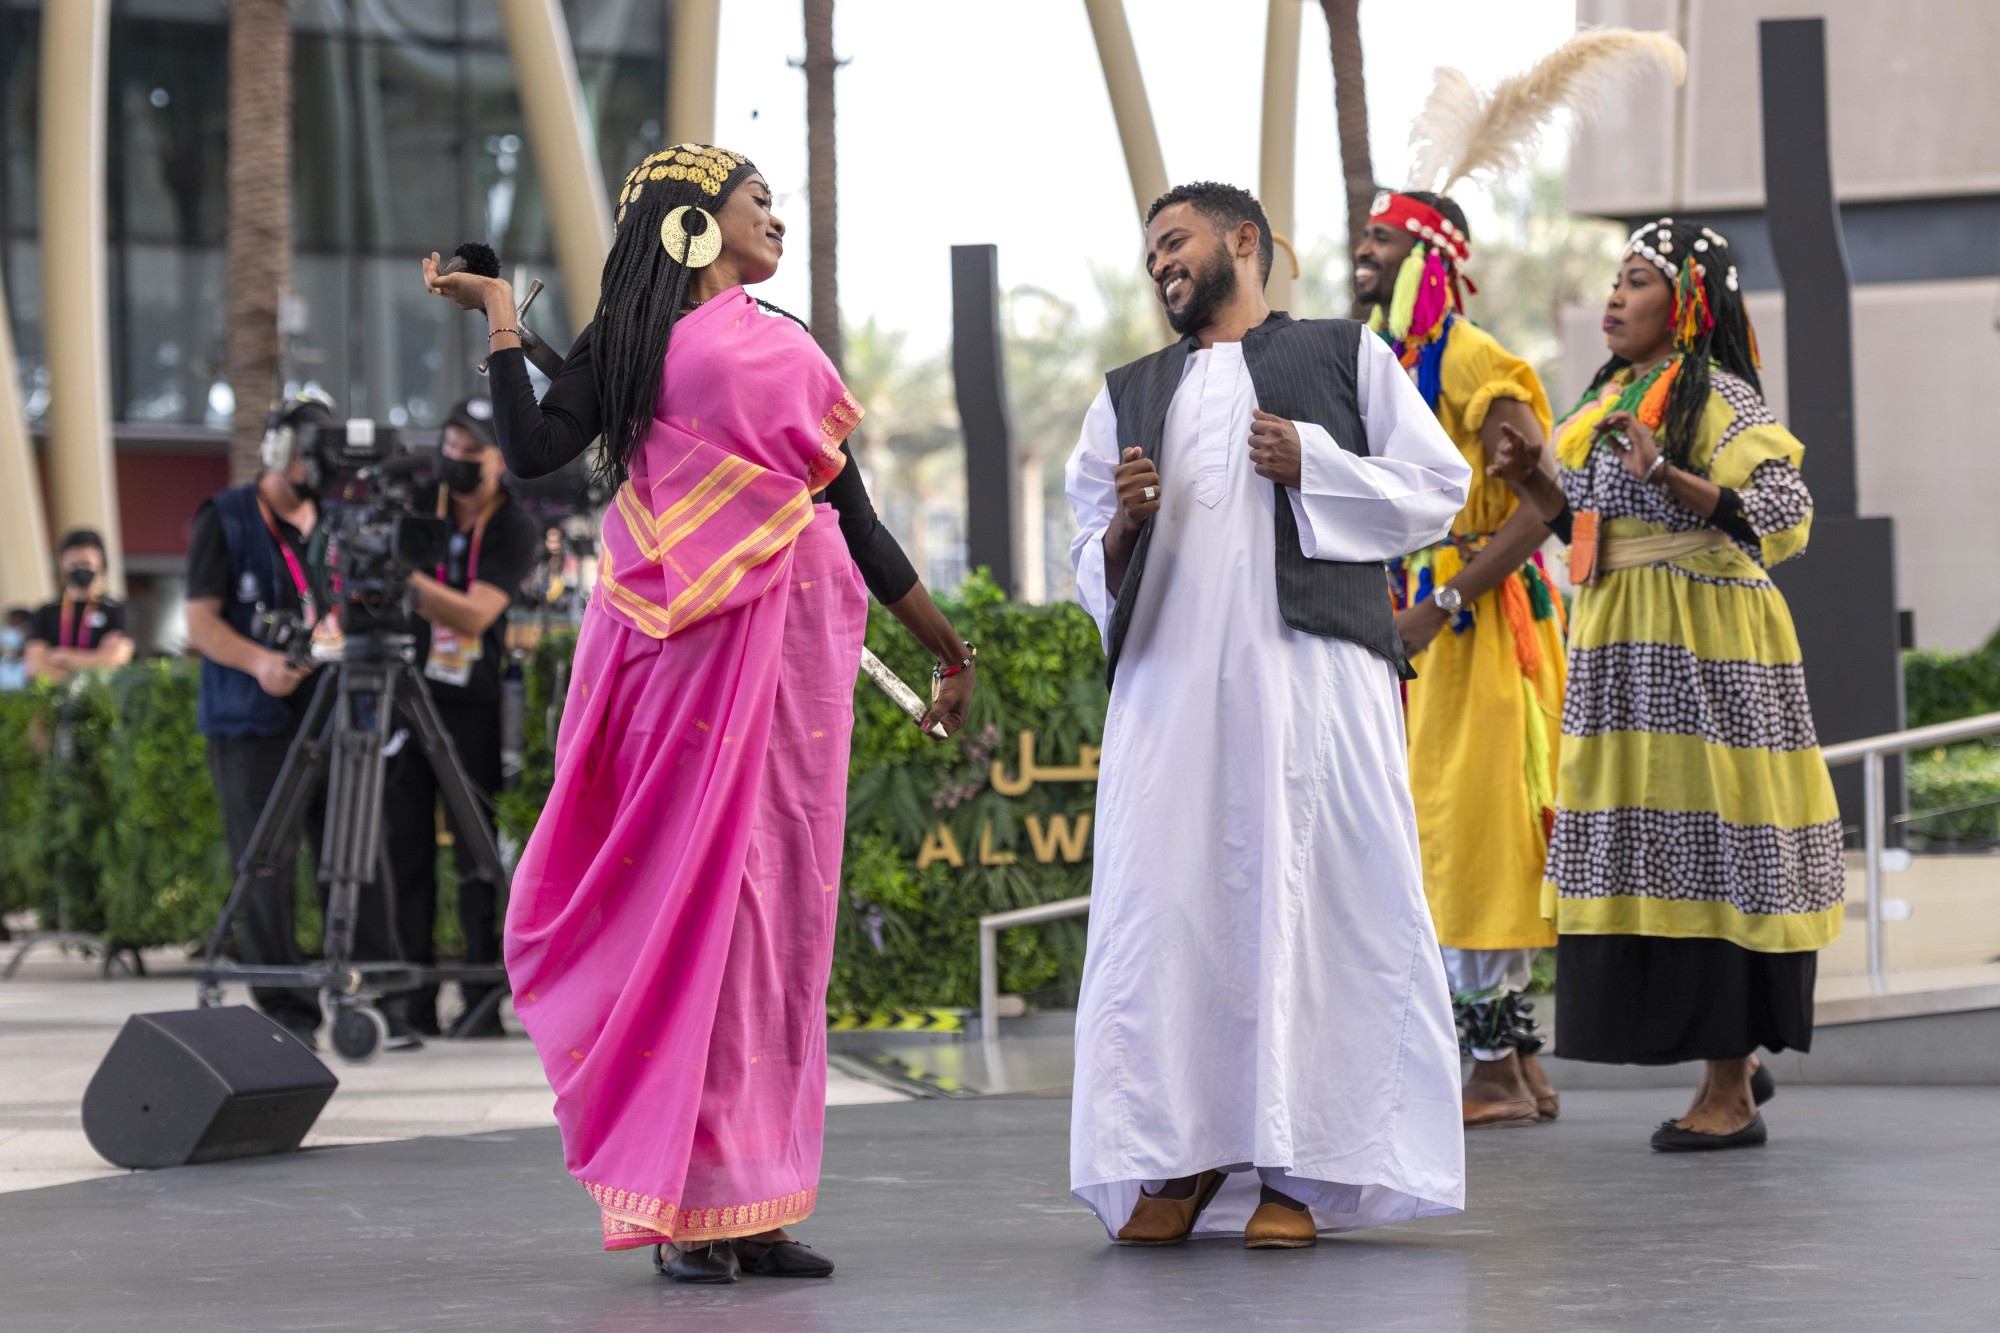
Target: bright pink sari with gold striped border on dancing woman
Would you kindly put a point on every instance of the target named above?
(671, 924)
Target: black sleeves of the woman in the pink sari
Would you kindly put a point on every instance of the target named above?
(541, 437)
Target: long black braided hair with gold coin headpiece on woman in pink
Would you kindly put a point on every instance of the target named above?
(643, 289)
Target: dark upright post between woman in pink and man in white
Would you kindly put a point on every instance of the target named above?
(983, 413)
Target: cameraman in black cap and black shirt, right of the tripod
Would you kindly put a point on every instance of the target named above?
(461, 641)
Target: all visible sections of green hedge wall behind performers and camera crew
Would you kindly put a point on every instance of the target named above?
(127, 818)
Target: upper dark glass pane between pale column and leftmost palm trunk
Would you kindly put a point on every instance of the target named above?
(173, 131)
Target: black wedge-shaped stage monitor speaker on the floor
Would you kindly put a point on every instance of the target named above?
(203, 1086)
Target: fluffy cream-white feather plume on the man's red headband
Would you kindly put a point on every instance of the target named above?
(1463, 133)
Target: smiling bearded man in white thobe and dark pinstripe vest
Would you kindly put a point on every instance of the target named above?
(1265, 1038)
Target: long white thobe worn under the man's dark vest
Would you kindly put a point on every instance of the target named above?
(1263, 988)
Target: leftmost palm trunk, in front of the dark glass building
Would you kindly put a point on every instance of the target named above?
(261, 215)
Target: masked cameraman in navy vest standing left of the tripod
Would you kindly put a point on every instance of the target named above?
(247, 559)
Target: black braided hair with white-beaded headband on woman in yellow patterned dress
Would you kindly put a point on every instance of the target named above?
(1697, 255)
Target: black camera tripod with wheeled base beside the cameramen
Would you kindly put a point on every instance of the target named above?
(343, 740)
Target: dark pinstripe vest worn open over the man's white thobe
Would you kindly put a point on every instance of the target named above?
(1301, 371)
